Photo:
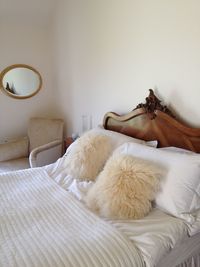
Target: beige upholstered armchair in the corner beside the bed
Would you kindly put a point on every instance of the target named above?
(43, 145)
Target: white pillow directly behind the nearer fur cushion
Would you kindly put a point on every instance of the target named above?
(180, 188)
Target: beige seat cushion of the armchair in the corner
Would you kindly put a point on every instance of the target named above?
(13, 165)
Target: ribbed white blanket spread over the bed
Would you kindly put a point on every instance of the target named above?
(42, 225)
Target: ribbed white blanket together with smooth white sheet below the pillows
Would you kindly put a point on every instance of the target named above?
(41, 224)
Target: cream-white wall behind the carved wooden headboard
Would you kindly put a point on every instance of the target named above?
(109, 52)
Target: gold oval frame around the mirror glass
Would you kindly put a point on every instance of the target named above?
(6, 70)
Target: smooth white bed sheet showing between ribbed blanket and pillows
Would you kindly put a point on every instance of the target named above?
(155, 236)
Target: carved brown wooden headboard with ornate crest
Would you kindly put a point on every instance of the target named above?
(154, 121)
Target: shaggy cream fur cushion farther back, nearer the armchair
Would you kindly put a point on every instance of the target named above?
(87, 156)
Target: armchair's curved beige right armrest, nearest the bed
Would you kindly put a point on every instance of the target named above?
(46, 154)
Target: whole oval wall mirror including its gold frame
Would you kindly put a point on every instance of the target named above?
(20, 81)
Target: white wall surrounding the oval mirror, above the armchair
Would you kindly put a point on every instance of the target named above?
(23, 42)
